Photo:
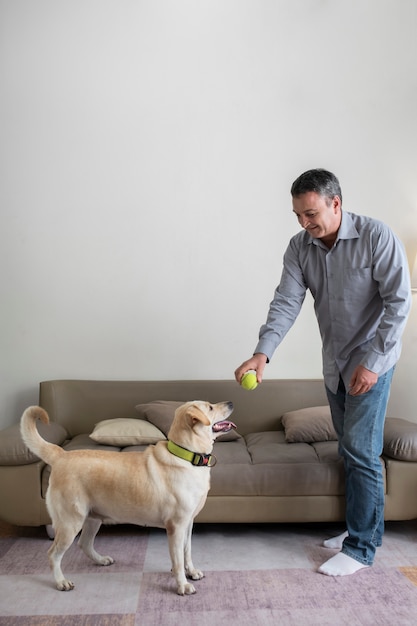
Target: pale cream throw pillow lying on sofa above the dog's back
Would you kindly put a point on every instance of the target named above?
(125, 431)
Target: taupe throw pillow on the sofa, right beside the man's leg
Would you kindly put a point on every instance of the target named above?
(309, 425)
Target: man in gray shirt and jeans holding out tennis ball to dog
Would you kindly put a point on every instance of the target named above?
(357, 273)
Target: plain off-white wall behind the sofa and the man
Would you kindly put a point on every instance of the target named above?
(147, 151)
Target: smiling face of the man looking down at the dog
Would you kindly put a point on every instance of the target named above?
(319, 215)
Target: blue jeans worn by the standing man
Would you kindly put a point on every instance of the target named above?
(359, 424)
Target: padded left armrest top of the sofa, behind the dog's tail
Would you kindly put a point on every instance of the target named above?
(13, 451)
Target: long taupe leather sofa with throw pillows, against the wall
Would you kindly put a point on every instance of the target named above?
(280, 465)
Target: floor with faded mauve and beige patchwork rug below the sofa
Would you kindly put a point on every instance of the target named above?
(254, 574)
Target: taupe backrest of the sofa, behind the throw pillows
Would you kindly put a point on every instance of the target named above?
(79, 404)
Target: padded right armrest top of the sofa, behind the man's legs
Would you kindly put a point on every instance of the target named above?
(400, 439)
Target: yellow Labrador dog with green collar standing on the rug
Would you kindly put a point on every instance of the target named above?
(165, 486)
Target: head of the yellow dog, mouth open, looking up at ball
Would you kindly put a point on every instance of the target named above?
(197, 424)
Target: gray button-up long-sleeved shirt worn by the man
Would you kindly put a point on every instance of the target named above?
(362, 297)
